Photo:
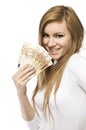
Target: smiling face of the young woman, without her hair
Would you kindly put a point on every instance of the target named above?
(57, 39)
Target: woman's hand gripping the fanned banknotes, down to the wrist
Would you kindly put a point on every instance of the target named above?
(22, 77)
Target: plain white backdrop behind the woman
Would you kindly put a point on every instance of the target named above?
(19, 21)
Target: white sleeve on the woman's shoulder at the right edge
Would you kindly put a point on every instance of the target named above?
(77, 67)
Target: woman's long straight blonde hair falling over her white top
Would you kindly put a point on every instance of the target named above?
(52, 75)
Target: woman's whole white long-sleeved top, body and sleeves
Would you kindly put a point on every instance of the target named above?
(70, 113)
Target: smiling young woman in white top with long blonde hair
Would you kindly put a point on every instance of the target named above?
(59, 99)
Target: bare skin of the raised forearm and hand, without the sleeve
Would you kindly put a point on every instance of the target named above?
(20, 79)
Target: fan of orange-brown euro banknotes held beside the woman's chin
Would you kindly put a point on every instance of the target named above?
(36, 56)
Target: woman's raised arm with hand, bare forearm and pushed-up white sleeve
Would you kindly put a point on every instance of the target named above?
(33, 121)
